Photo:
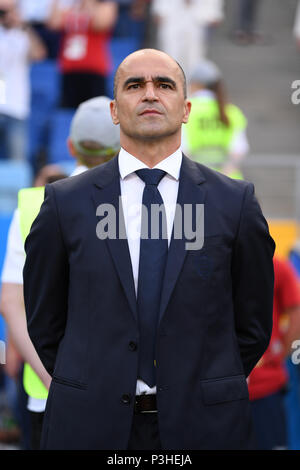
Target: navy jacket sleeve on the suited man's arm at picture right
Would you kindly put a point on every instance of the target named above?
(253, 282)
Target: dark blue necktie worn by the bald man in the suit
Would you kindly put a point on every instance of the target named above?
(153, 257)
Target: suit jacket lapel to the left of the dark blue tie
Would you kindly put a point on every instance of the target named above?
(106, 190)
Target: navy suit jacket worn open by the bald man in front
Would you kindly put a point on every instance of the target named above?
(215, 316)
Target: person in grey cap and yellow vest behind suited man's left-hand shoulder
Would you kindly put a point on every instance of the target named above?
(93, 140)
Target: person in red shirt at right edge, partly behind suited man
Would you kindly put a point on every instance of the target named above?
(268, 380)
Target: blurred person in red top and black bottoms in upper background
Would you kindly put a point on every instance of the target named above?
(84, 57)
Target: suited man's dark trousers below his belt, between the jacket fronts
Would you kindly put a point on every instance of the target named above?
(144, 432)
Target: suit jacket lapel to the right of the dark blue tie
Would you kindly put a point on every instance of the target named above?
(190, 191)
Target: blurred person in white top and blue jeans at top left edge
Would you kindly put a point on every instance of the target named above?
(19, 45)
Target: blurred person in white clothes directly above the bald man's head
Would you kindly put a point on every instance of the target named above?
(182, 28)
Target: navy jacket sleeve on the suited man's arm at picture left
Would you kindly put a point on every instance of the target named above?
(45, 277)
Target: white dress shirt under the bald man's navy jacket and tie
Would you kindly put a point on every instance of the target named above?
(132, 188)
